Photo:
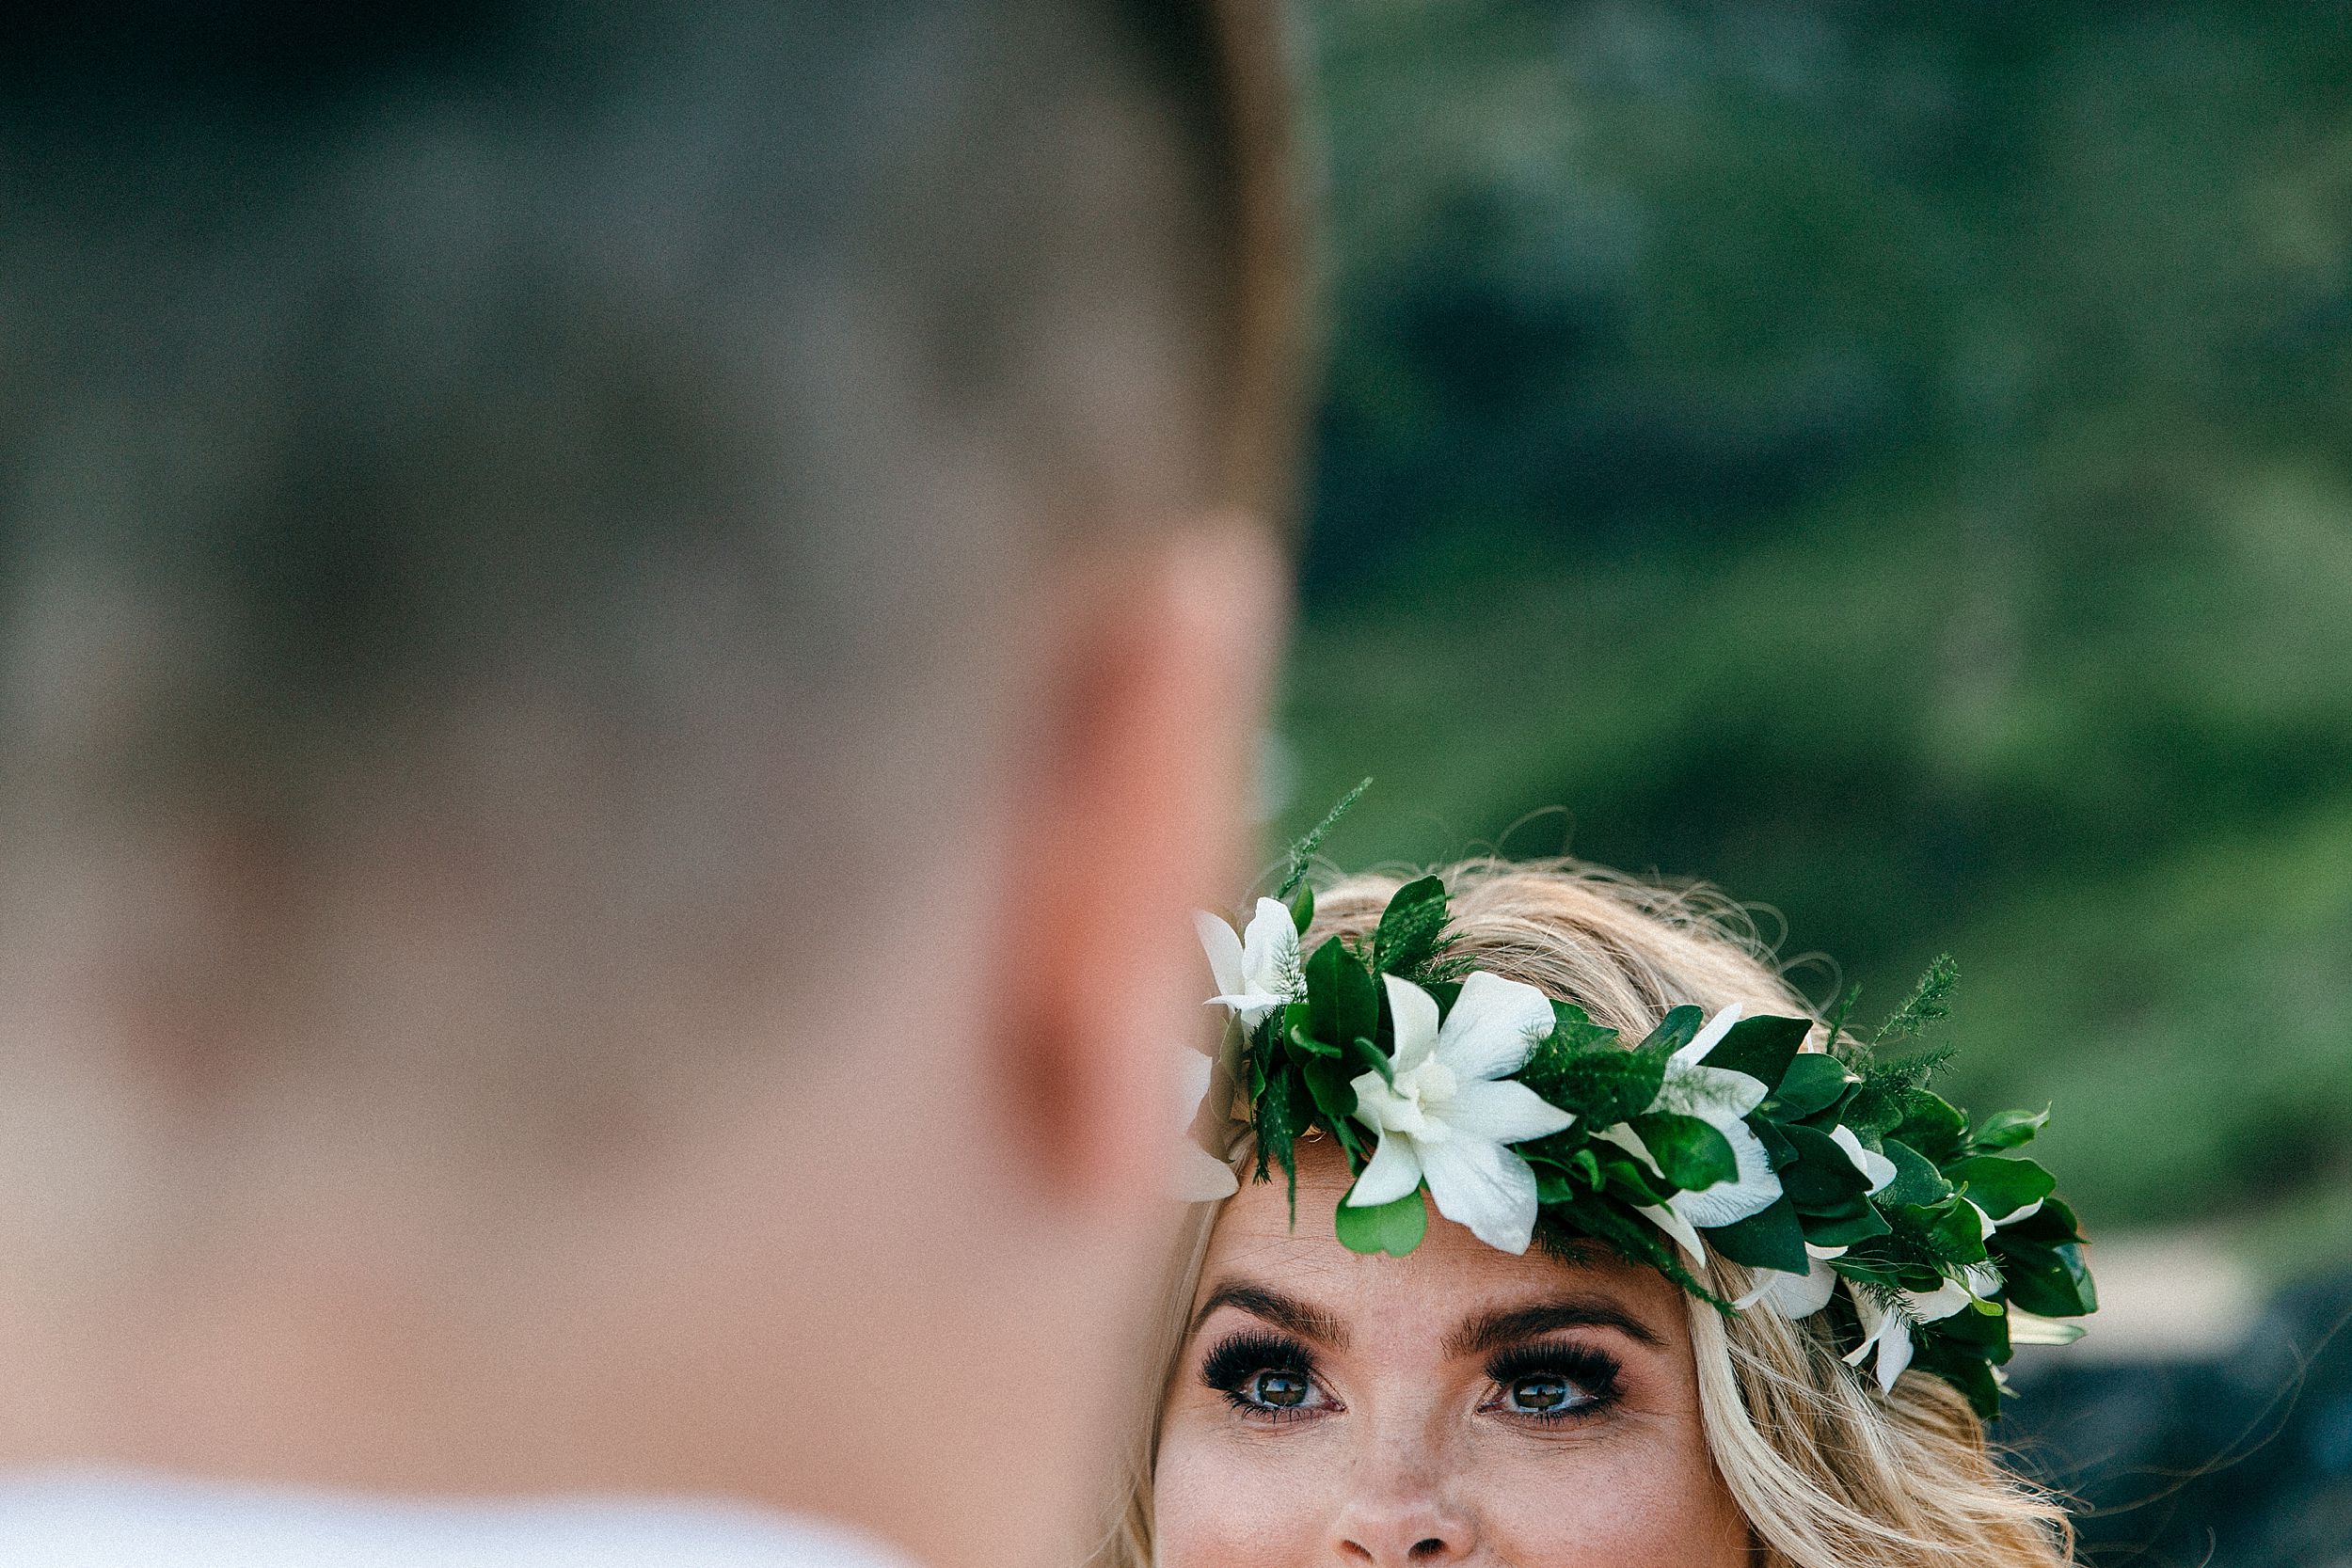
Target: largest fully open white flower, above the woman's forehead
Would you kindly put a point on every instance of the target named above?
(1448, 1115)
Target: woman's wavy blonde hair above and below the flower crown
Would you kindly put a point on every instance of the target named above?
(1826, 1470)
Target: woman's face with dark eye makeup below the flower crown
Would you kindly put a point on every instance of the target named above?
(1455, 1407)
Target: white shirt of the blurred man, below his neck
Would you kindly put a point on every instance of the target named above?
(159, 1522)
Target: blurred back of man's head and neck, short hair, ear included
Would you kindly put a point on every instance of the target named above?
(627, 629)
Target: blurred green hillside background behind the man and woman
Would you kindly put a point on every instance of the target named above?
(1890, 462)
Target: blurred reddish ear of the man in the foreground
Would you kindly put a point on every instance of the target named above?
(1130, 812)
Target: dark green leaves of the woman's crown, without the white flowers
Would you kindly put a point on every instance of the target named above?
(1624, 1158)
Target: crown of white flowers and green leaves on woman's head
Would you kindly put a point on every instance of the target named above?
(1713, 1137)
